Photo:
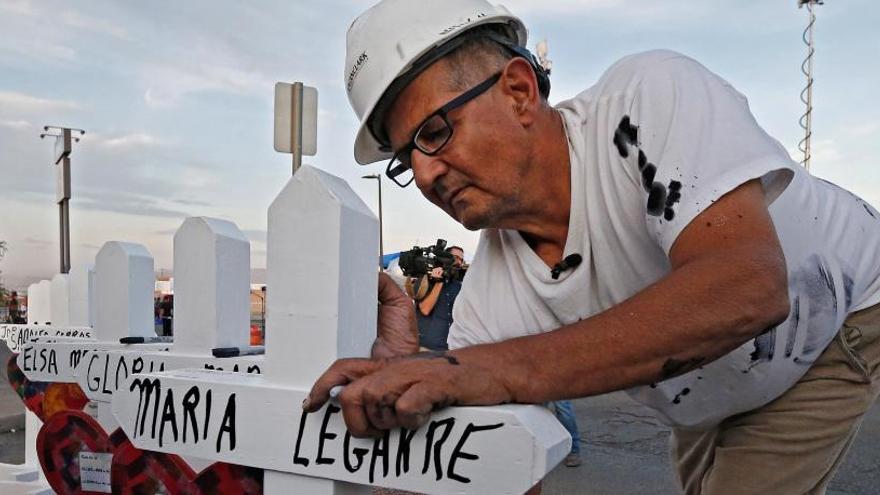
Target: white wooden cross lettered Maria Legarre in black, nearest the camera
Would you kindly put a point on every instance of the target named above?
(322, 306)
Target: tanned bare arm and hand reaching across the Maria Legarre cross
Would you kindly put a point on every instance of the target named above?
(728, 283)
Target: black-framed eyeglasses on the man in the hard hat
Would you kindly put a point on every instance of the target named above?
(432, 134)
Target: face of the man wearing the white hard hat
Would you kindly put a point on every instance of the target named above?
(477, 176)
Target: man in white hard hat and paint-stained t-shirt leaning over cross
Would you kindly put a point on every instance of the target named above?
(645, 235)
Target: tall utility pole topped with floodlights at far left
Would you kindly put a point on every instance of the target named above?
(64, 140)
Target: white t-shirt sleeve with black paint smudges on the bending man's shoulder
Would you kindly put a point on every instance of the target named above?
(693, 139)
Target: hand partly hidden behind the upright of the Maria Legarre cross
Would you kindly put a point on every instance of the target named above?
(398, 333)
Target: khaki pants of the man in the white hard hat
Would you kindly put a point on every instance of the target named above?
(794, 444)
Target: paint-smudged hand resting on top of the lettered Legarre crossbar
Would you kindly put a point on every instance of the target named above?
(384, 394)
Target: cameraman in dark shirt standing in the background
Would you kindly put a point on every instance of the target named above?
(435, 309)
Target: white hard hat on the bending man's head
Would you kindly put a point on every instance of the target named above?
(384, 42)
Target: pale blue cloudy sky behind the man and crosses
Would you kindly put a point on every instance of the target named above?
(177, 101)
